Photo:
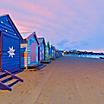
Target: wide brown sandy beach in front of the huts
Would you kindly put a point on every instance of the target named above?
(67, 80)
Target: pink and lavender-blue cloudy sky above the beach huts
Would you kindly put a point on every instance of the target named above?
(67, 24)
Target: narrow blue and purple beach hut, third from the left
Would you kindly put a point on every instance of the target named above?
(41, 49)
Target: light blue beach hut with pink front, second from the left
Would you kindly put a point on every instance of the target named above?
(31, 54)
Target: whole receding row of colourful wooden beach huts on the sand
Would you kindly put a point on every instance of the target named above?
(19, 52)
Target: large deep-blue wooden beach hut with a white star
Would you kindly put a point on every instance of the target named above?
(10, 40)
